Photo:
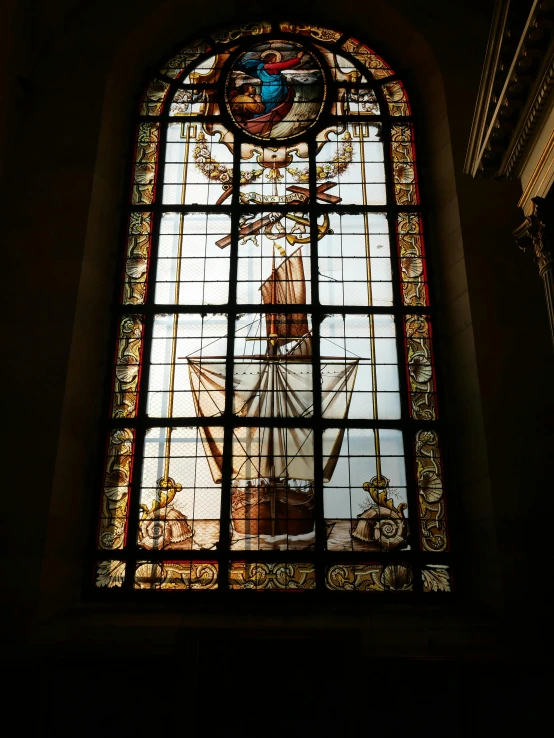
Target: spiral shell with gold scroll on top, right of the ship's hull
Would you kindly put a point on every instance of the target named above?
(382, 523)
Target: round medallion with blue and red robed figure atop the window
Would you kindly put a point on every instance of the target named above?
(275, 90)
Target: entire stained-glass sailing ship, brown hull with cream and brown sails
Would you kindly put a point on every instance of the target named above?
(273, 467)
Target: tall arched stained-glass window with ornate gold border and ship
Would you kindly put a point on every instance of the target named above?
(274, 418)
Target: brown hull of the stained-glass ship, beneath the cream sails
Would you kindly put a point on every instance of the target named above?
(273, 510)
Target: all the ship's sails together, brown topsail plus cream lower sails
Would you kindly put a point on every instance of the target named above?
(278, 384)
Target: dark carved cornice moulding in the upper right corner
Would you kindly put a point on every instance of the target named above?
(517, 79)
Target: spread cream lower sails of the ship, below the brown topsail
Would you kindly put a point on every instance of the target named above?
(292, 393)
